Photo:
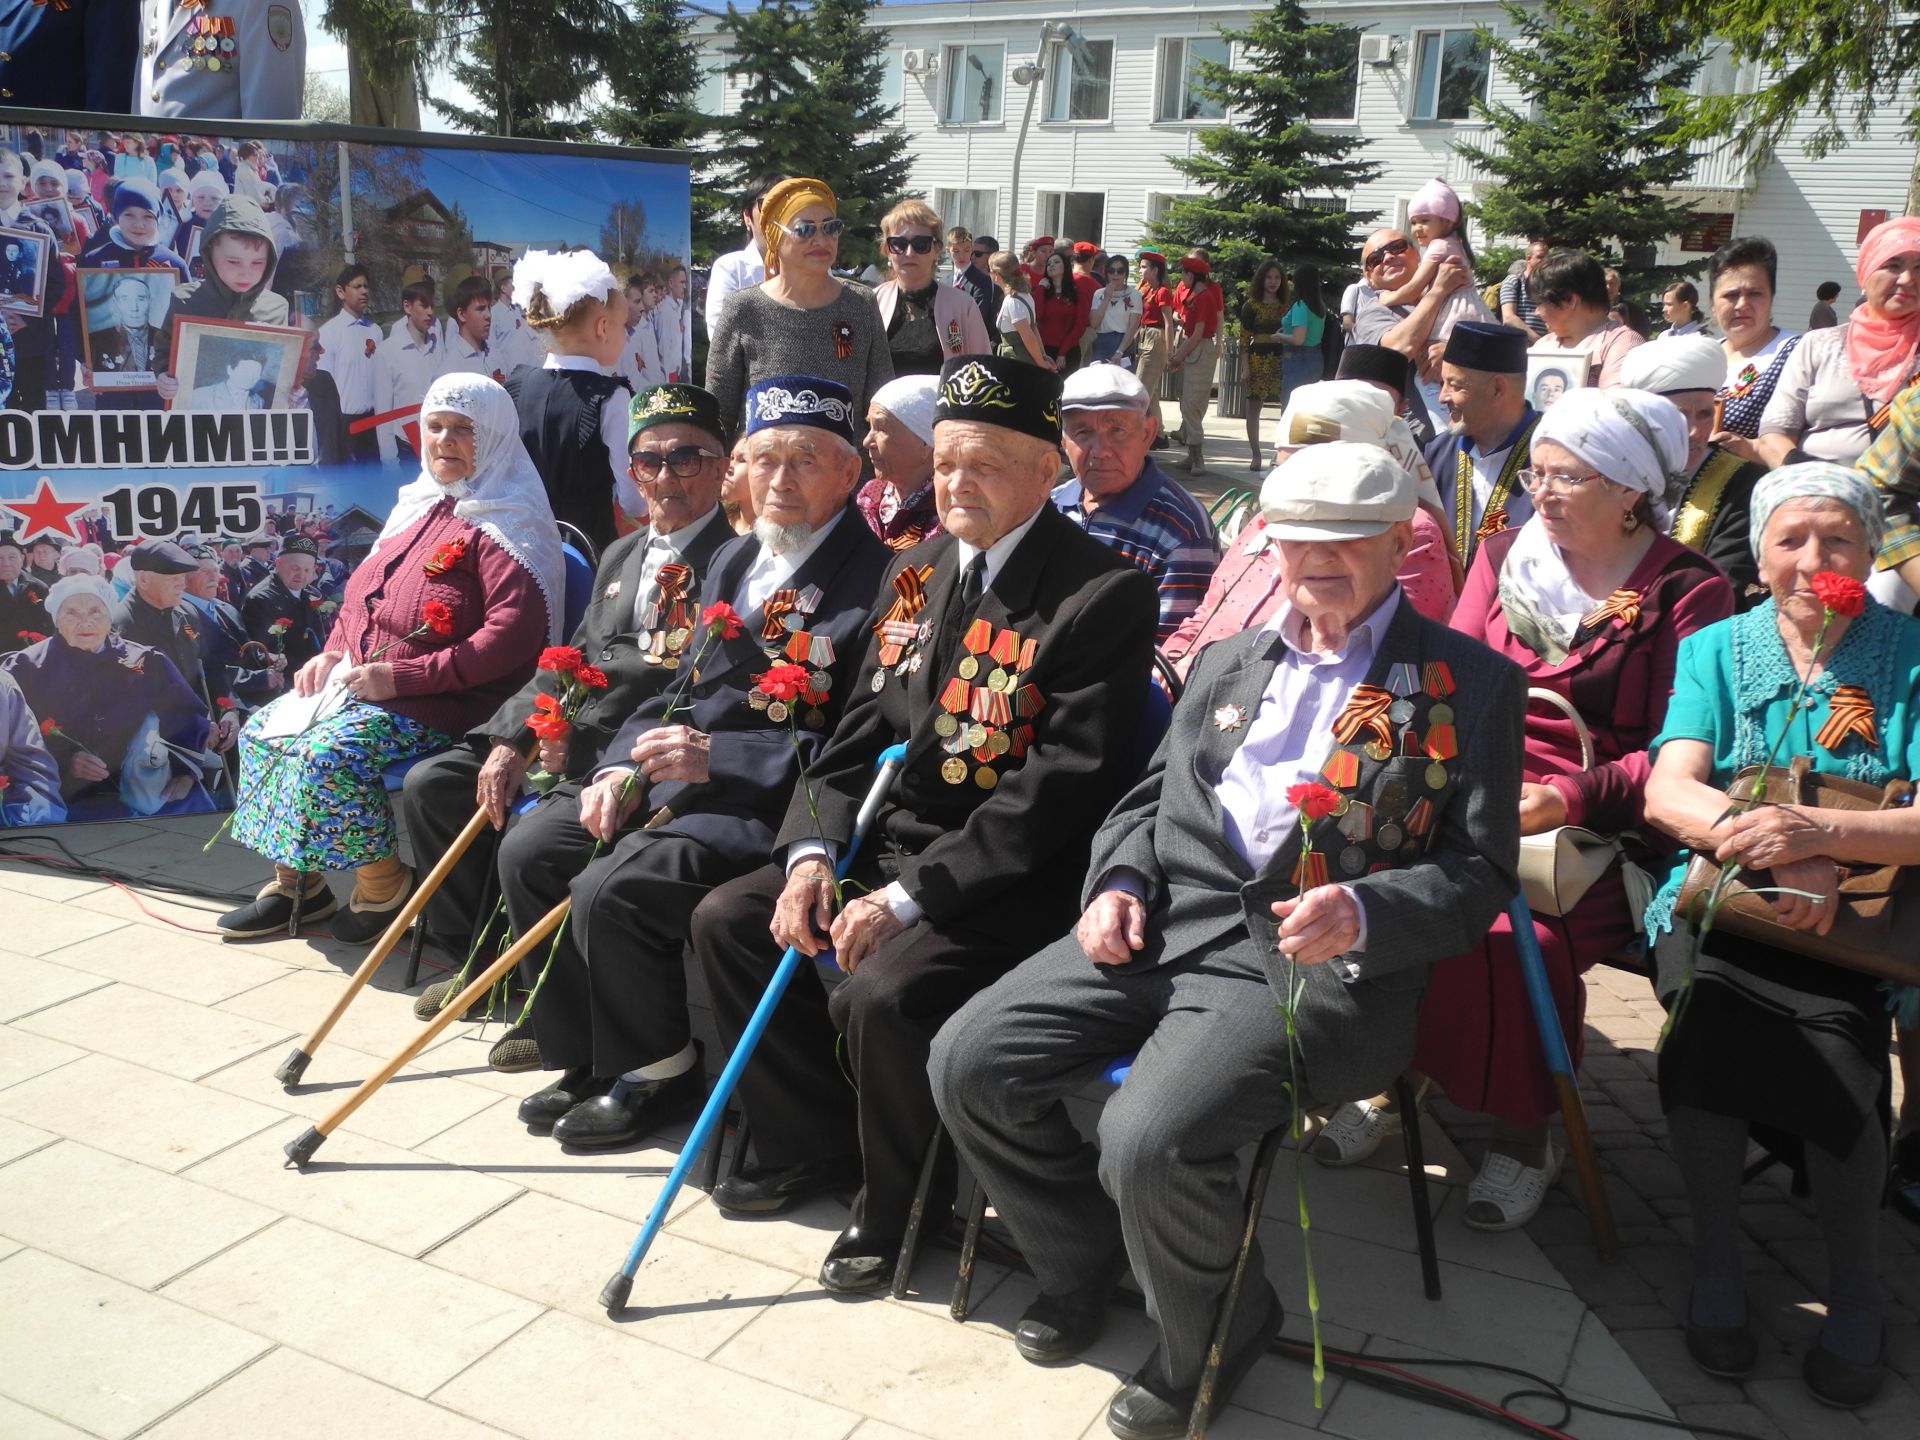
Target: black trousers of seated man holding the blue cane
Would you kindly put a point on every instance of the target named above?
(796, 1092)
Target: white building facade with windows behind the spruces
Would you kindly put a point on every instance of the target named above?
(1113, 108)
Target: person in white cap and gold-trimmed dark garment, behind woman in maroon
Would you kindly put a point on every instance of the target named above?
(1714, 494)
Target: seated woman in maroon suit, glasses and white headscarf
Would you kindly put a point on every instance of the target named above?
(1593, 600)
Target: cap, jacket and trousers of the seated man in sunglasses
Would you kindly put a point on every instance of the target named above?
(648, 587)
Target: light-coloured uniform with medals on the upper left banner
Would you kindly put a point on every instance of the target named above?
(222, 59)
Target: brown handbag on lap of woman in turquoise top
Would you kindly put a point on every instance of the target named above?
(1875, 903)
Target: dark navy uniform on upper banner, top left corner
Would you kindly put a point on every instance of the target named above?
(68, 55)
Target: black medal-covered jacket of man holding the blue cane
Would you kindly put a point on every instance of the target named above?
(1009, 859)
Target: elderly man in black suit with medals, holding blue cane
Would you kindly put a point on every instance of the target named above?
(1013, 658)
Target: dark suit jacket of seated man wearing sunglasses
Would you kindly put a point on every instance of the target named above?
(606, 636)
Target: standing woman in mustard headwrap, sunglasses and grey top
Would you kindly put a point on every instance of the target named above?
(802, 320)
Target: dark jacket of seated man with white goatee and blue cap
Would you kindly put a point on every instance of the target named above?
(754, 759)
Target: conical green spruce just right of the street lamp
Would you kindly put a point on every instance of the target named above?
(1268, 170)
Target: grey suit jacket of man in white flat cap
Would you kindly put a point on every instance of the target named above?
(1428, 900)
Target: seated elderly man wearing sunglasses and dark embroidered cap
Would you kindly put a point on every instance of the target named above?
(646, 590)
